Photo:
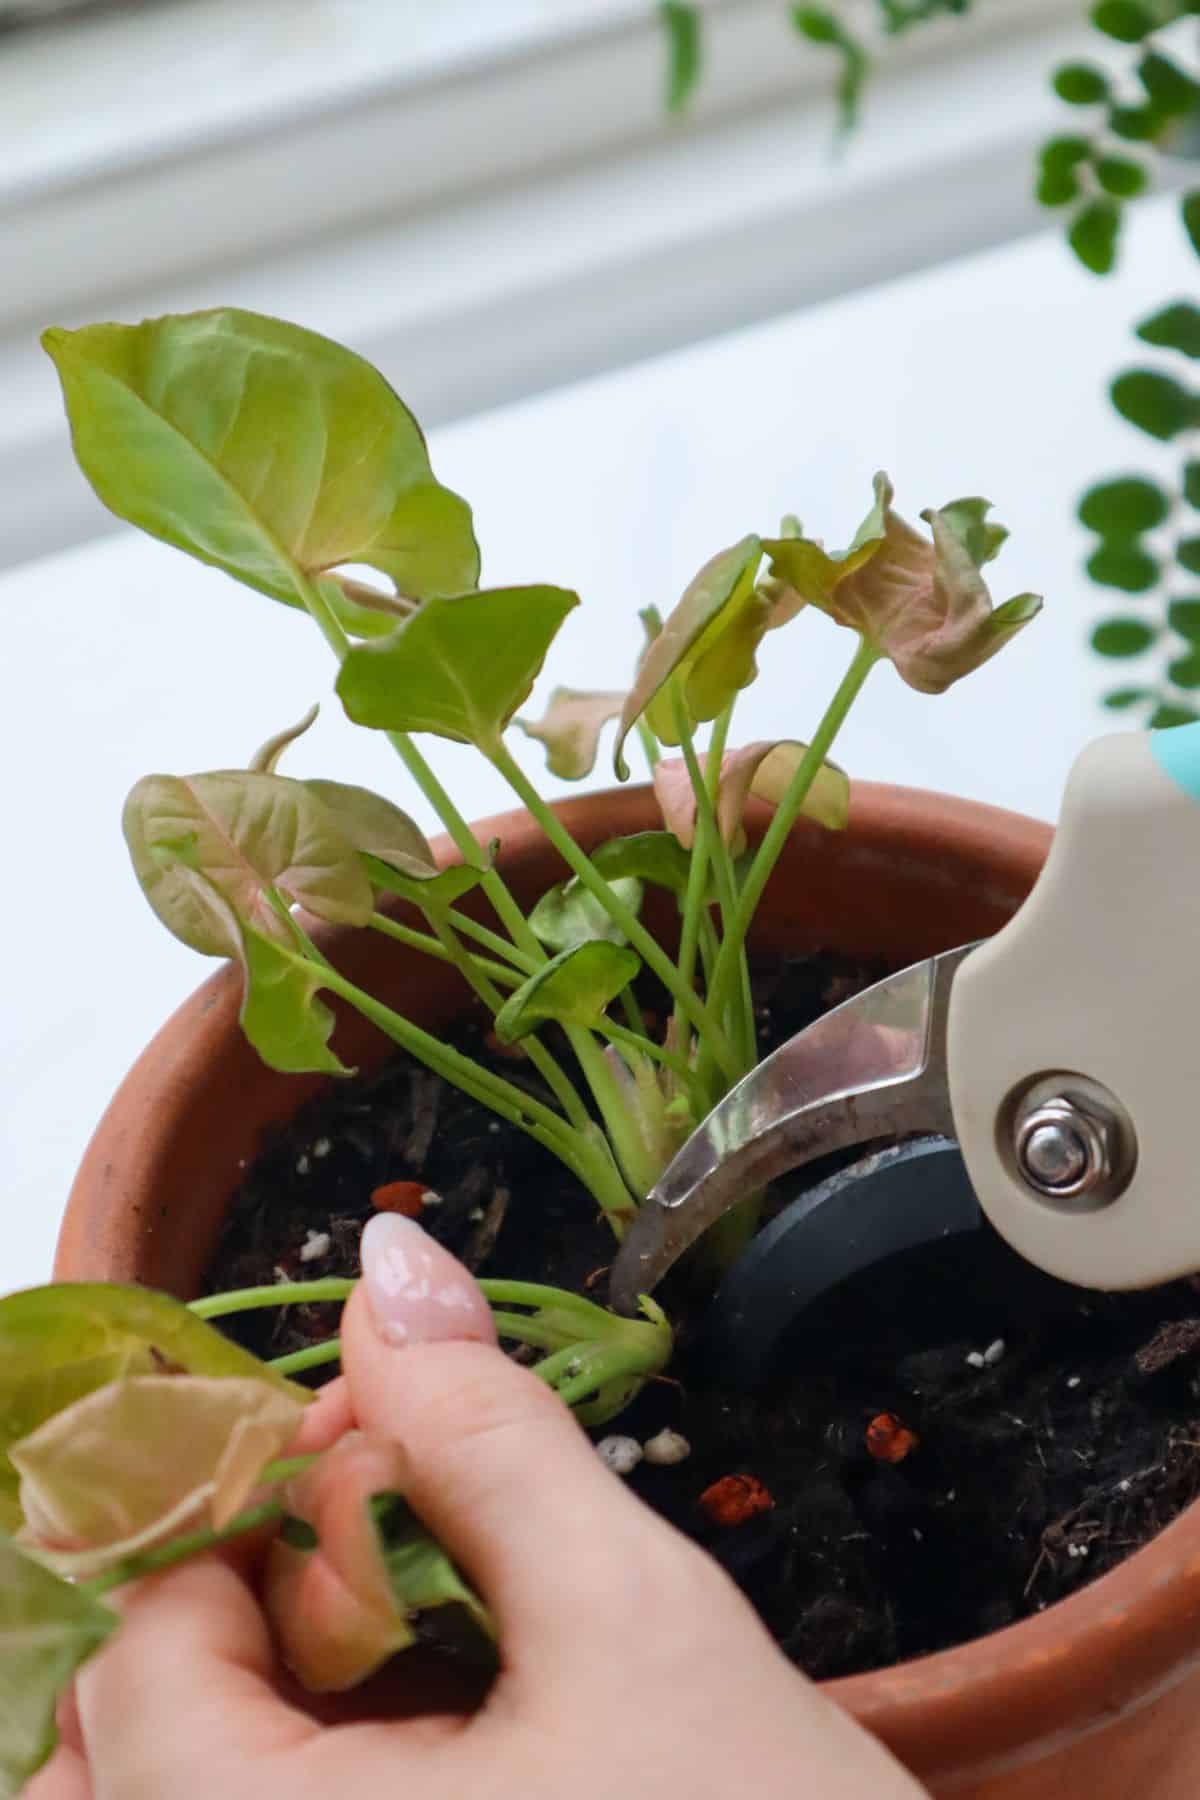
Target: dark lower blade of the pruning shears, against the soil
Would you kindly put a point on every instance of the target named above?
(909, 1194)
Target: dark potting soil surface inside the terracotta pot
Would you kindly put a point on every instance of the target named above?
(1057, 1430)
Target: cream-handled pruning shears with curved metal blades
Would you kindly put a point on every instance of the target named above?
(1046, 1079)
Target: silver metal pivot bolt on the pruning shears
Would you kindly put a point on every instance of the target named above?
(1071, 1149)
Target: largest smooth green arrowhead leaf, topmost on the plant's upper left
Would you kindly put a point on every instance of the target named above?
(262, 449)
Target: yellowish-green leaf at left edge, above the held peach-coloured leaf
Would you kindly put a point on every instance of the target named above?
(64, 1342)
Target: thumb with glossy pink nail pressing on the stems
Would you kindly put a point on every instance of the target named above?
(496, 1464)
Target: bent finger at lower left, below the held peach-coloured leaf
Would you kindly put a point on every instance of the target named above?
(184, 1682)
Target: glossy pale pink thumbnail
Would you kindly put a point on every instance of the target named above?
(418, 1293)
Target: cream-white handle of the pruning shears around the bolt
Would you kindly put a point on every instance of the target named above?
(1098, 978)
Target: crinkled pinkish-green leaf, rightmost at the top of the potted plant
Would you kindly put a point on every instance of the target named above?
(920, 602)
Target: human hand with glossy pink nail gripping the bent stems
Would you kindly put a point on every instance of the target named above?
(631, 1664)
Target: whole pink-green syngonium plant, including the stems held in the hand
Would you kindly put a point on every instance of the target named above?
(287, 462)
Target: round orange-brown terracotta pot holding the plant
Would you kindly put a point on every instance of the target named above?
(1098, 1696)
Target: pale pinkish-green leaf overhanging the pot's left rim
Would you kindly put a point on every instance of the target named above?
(237, 836)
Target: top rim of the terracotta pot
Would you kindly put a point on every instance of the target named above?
(987, 1705)
